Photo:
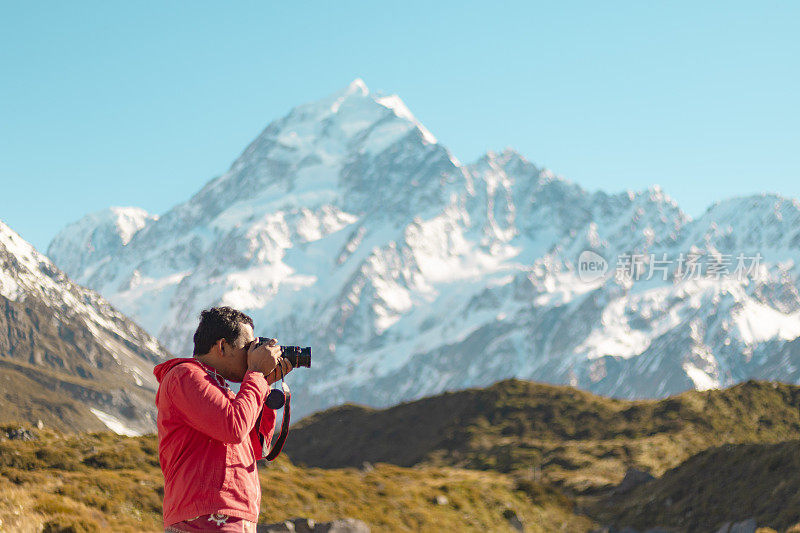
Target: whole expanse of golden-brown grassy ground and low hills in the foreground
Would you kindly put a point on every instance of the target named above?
(550, 456)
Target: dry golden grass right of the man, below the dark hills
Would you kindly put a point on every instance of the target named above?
(393, 498)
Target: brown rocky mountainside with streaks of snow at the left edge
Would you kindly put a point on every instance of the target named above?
(66, 355)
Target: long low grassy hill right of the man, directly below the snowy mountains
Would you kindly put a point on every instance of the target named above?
(573, 438)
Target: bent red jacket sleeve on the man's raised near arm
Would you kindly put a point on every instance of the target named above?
(209, 410)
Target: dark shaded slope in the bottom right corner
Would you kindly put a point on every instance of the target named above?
(729, 483)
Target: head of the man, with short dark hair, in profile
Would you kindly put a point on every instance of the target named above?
(221, 340)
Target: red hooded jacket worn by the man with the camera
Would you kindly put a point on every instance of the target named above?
(208, 443)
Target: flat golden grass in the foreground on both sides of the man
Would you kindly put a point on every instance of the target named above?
(105, 482)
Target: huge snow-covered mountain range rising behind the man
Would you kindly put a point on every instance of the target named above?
(346, 226)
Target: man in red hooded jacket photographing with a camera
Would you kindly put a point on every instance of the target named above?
(208, 437)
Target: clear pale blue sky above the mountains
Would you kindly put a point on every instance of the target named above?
(141, 103)
